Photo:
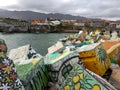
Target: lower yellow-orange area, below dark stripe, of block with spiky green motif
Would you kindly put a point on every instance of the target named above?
(97, 66)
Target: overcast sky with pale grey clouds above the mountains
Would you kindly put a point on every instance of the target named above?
(106, 9)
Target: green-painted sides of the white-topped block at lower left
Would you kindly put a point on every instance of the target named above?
(33, 76)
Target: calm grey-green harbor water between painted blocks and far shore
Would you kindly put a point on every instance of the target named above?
(40, 42)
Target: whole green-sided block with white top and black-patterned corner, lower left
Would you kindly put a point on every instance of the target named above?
(30, 68)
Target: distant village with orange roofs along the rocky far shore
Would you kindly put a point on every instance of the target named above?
(51, 25)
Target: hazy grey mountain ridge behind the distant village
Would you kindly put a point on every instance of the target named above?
(28, 15)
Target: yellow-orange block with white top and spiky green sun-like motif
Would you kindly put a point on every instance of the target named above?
(96, 58)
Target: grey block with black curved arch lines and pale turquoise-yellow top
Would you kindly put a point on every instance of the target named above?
(60, 66)
